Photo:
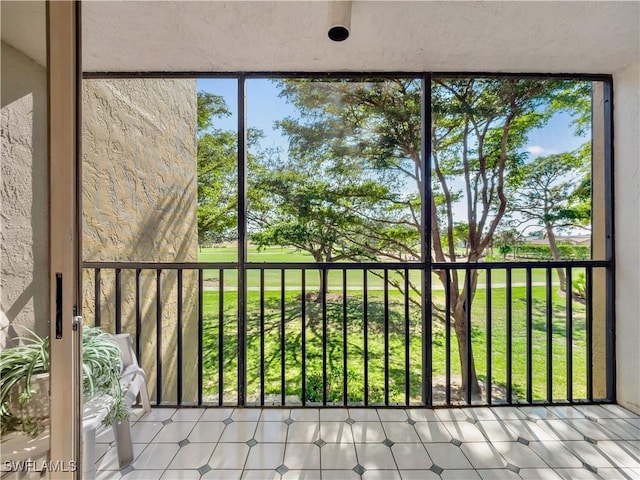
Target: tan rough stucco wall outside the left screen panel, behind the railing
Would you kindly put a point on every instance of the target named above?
(139, 204)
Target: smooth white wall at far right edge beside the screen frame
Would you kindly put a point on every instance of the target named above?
(627, 224)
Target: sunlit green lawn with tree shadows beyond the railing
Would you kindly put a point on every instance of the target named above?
(285, 314)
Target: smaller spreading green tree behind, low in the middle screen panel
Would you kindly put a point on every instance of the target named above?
(313, 201)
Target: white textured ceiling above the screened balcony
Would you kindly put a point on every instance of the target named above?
(227, 36)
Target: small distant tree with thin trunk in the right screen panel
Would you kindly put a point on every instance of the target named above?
(545, 194)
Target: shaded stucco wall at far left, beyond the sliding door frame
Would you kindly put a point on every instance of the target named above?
(24, 207)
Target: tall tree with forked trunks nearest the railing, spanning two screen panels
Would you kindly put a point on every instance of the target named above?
(370, 131)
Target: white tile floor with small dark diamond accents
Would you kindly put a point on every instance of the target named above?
(582, 442)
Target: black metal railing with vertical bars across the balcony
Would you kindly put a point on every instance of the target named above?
(348, 334)
